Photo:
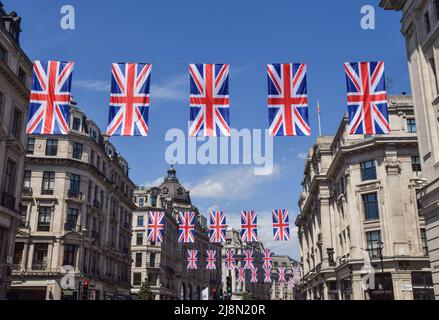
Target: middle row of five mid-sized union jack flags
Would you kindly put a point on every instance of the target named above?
(218, 226)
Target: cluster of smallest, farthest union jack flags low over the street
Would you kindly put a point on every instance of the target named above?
(247, 264)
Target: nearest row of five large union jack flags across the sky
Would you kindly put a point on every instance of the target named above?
(209, 99)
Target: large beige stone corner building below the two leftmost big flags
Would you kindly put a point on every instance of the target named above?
(76, 211)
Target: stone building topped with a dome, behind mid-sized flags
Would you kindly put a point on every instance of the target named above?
(164, 265)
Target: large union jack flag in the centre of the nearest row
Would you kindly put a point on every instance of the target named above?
(209, 101)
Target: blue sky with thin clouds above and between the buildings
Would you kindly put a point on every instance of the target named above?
(246, 34)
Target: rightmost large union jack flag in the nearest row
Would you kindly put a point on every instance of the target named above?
(367, 98)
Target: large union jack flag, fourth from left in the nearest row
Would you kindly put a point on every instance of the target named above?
(288, 100)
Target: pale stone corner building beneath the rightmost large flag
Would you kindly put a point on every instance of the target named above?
(358, 214)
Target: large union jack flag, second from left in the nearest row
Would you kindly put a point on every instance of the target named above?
(129, 100)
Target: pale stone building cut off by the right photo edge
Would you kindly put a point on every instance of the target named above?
(420, 27)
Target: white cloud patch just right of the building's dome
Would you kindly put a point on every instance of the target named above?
(232, 184)
